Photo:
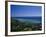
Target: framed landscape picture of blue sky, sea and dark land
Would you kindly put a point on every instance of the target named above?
(26, 18)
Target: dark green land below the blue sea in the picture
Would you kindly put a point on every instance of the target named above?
(17, 25)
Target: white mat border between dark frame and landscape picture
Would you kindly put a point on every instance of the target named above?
(25, 32)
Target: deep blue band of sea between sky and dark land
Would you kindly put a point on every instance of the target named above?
(33, 19)
